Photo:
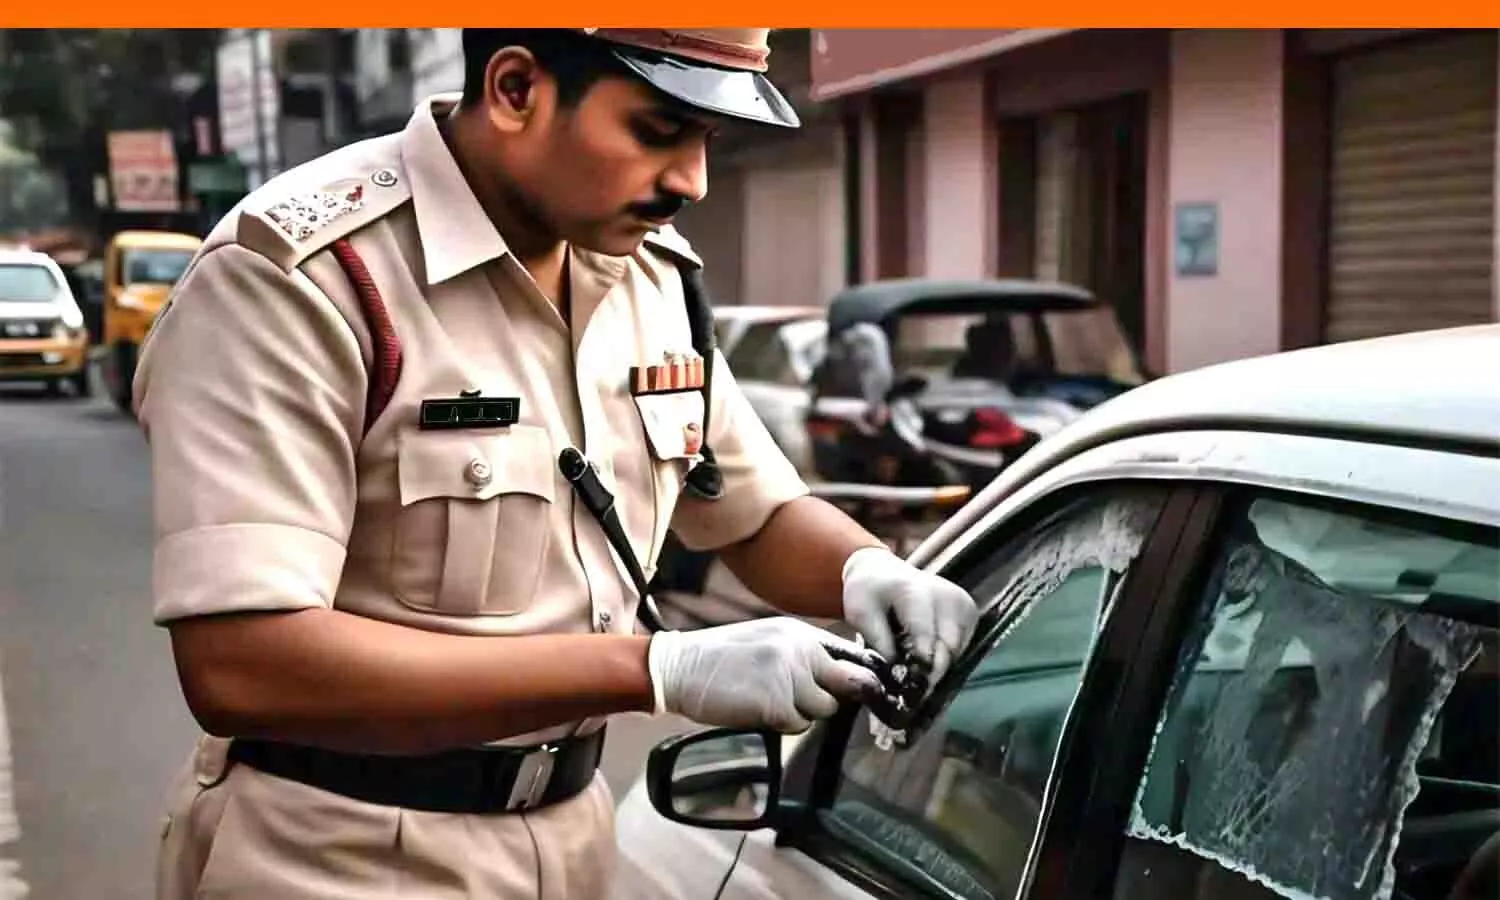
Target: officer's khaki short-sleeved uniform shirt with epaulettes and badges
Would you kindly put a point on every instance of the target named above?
(253, 388)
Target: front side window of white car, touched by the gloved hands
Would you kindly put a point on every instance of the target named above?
(958, 811)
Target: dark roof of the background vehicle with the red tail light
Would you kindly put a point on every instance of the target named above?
(875, 302)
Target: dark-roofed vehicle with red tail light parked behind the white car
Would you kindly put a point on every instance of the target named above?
(983, 370)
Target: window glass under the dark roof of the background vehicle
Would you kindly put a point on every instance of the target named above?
(1064, 343)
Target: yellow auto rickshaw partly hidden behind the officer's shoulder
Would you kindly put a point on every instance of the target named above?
(140, 271)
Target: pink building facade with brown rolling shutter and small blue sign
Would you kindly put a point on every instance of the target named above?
(1232, 193)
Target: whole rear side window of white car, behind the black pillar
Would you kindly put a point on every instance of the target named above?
(1331, 731)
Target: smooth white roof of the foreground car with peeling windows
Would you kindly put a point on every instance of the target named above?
(1420, 388)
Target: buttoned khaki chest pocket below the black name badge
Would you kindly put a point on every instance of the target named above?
(475, 524)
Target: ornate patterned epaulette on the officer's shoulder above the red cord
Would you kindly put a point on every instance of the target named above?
(289, 227)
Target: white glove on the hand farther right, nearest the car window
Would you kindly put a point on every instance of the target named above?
(935, 614)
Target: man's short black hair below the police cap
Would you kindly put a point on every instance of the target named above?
(572, 58)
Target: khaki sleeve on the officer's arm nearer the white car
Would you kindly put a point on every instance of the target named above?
(757, 475)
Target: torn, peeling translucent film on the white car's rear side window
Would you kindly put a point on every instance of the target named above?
(1291, 743)
